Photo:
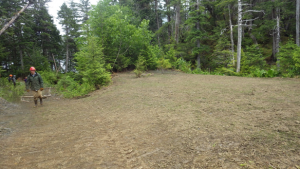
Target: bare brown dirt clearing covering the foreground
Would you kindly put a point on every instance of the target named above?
(170, 120)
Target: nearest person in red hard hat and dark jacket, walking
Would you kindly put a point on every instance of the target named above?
(35, 83)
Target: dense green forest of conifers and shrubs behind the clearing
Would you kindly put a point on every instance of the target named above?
(256, 38)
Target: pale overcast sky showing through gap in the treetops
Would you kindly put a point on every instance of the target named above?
(54, 6)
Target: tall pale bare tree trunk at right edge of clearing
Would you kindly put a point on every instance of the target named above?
(239, 44)
